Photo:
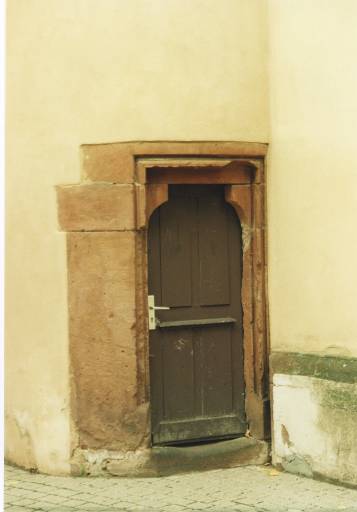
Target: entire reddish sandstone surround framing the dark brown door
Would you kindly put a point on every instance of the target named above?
(106, 217)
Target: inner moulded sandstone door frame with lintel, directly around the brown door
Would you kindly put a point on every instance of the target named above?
(243, 181)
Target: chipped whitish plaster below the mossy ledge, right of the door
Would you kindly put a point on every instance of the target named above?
(314, 427)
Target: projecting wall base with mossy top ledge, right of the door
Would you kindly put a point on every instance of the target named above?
(315, 416)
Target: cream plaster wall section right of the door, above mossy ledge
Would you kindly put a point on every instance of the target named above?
(312, 176)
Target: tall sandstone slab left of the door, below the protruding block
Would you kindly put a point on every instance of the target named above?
(101, 282)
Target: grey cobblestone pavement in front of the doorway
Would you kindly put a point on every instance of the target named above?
(245, 489)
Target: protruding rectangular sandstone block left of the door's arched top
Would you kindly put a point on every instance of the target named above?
(98, 207)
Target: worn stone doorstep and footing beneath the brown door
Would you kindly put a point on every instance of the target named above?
(163, 461)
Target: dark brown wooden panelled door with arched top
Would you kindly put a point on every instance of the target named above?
(196, 354)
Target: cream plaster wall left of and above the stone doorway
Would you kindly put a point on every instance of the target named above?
(87, 71)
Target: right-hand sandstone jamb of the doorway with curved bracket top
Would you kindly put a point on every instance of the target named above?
(244, 201)
